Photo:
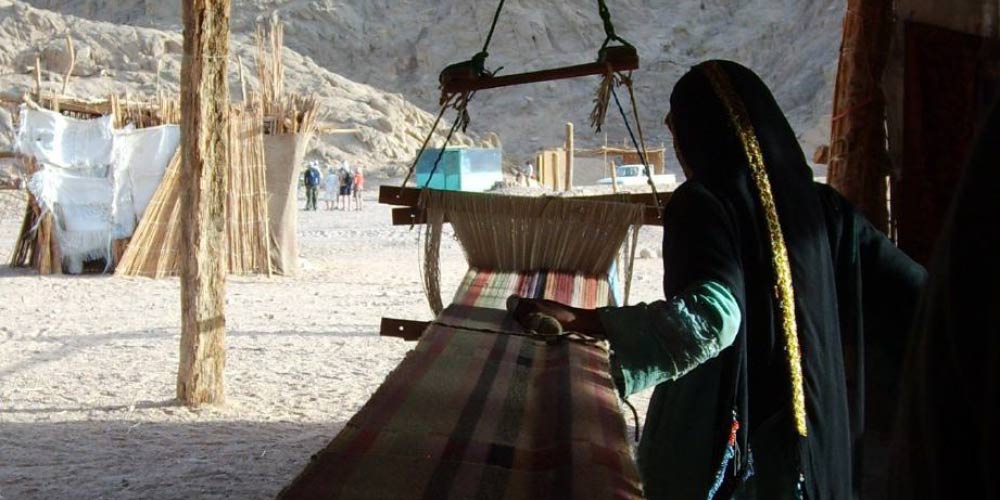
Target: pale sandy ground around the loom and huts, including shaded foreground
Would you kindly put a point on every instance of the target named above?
(88, 366)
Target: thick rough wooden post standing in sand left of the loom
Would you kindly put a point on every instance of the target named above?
(205, 154)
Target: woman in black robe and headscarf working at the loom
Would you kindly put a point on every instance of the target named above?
(770, 406)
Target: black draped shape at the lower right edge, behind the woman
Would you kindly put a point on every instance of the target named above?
(946, 437)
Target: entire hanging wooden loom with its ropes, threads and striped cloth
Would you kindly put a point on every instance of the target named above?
(482, 407)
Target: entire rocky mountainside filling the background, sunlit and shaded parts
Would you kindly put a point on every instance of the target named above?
(399, 46)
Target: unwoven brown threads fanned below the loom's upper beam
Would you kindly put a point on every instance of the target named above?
(518, 234)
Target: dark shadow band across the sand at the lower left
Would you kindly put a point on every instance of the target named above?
(132, 459)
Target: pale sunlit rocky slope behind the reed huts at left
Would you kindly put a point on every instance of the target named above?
(112, 58)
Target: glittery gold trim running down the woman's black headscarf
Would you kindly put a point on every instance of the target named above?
(779, 252)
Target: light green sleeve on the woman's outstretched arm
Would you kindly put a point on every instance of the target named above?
(661, 341)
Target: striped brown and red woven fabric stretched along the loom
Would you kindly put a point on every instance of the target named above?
(475, 413)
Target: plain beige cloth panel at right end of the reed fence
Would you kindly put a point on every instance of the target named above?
(283, 155)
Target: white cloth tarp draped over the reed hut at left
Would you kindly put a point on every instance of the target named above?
(96, 181)
